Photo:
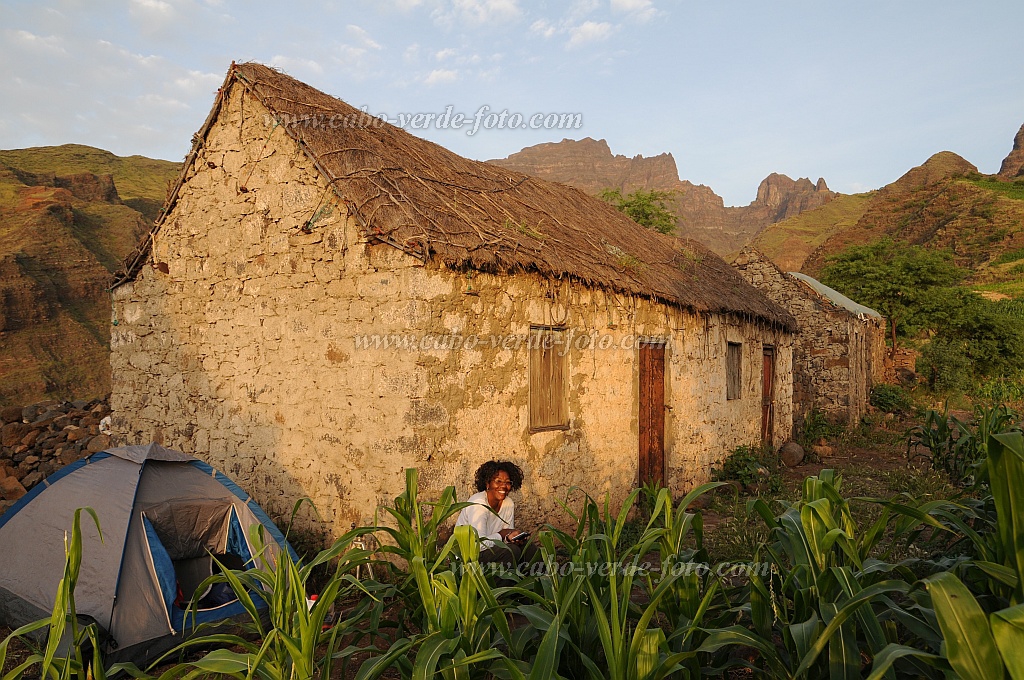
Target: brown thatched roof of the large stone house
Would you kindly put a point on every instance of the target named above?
(443, 208)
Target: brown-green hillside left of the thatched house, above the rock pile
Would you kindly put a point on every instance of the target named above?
(68, 217)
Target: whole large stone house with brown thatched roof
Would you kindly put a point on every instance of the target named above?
(328, 301)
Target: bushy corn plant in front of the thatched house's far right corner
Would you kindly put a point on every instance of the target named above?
(819, 592)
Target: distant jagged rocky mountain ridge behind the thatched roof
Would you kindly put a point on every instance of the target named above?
(589, 165)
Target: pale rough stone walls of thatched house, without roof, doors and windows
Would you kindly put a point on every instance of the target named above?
(268, 337)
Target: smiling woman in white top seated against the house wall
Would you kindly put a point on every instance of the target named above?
(494, 514)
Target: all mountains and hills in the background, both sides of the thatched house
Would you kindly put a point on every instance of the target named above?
(70, 215)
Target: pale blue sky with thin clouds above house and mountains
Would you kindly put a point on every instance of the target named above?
(856, 93)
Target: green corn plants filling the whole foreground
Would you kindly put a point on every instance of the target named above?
(817, 599)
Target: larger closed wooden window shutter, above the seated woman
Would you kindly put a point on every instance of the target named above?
(548, 379)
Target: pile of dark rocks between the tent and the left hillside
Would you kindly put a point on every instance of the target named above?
(38, 441)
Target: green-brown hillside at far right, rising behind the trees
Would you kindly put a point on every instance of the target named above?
(945, 203)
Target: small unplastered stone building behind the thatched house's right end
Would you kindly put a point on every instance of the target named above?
(840, 351)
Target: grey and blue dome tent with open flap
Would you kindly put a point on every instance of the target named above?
(163, 515)
